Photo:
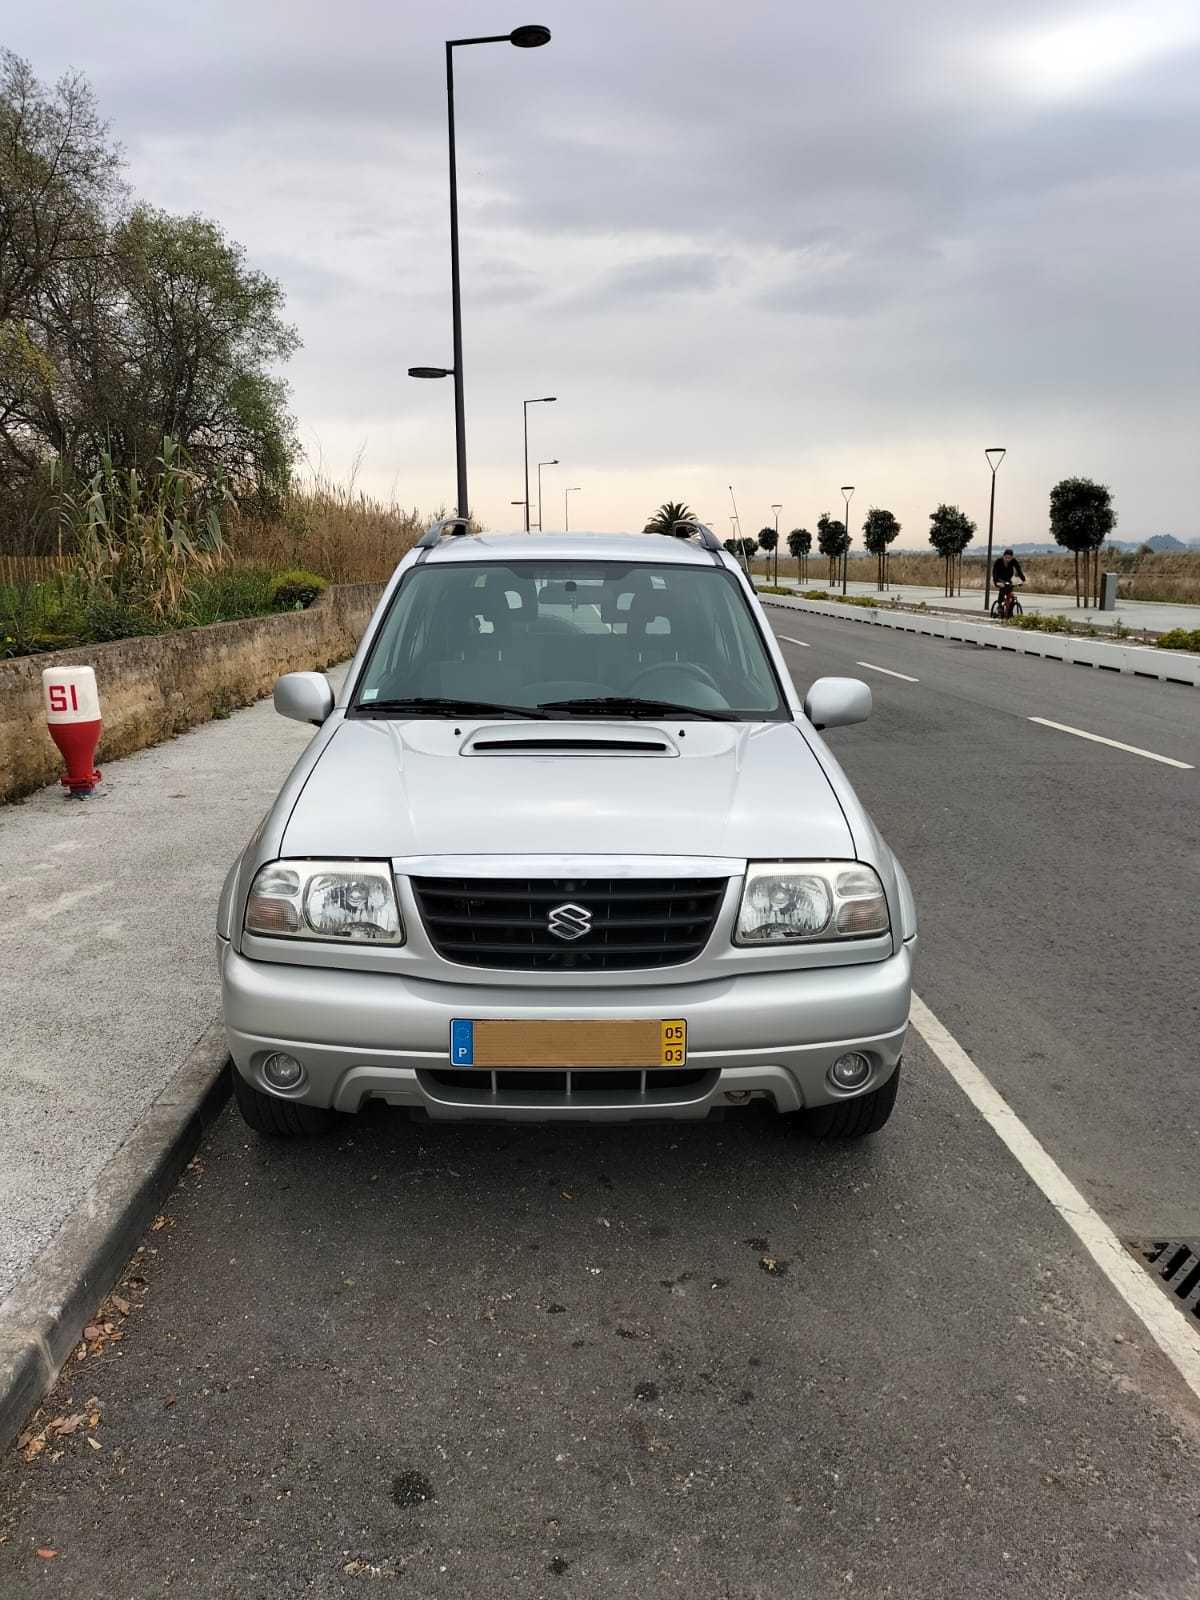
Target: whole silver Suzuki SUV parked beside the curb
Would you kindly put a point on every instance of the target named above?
(567, 847)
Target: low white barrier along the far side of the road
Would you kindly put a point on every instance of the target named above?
(1145, 662)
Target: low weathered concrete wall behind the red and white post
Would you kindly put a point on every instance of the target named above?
(153, 689)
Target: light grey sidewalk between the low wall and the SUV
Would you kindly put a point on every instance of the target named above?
(108, 953)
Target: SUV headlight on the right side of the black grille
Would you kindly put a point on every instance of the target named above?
(788, 902)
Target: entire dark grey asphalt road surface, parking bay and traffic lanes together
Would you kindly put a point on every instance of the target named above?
(554, 1362)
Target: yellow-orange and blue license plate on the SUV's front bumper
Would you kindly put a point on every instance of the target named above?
(498, 1042)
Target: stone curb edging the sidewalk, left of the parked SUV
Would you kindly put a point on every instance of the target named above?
(42, 1319)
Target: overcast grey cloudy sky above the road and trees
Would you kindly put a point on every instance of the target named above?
(778, 246)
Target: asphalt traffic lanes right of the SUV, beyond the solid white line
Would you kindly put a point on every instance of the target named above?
(1058, 884)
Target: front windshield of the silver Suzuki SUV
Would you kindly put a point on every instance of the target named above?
(633, 639)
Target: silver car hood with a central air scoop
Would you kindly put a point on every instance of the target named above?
(426, 788)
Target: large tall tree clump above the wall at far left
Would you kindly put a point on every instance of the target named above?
(137, 327)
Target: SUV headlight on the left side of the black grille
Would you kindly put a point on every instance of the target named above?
(326, 900)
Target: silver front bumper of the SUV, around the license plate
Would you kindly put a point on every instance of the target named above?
(378, 1036)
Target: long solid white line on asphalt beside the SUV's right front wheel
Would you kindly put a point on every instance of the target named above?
(1166, 1324)
